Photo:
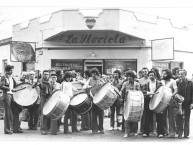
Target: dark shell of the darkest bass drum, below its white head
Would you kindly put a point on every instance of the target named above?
(83, 107)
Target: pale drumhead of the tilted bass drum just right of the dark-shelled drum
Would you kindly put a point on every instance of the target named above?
(101, 93)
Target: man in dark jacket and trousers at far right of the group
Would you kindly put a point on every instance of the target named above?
(185, 89)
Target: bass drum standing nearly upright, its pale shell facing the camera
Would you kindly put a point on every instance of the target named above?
(133, 106)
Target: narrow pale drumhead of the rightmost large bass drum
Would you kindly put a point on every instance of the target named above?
(155, 100)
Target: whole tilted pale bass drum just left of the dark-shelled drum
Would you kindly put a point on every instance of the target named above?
(56, 105)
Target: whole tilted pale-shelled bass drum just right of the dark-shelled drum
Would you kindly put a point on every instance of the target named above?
(105, 97)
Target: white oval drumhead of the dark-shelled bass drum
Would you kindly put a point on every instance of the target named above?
(78, 99)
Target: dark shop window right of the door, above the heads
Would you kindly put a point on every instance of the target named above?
(120, 64)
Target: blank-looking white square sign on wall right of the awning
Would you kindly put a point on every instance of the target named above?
(162, 49)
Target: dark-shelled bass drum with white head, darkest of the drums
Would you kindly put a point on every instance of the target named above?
(81, 103)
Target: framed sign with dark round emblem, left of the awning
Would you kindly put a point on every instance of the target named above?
(22, 51)
